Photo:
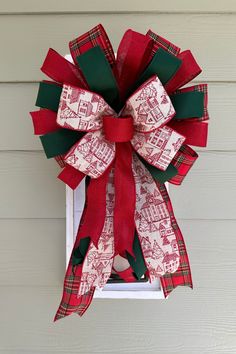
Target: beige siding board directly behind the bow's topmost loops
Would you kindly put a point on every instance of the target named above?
(210, 37)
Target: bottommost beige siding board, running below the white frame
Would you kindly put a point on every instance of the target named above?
(199, 321)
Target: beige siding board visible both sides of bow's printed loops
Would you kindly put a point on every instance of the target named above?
(18, 130)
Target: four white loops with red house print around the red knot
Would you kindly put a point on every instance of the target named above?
(150, 108)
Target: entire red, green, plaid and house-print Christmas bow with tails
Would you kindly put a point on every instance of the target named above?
(124, 124)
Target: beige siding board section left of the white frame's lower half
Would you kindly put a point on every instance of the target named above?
(32, 252)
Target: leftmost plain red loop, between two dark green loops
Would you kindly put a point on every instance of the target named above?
(44, 121)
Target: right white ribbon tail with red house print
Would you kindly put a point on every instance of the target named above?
(153, 225)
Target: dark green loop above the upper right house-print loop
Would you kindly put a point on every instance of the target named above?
(163, 64)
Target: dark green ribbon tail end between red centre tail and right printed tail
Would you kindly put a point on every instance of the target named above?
(137, 263)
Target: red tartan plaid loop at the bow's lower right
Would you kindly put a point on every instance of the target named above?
(183, 161)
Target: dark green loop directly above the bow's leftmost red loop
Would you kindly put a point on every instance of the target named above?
(48, 96)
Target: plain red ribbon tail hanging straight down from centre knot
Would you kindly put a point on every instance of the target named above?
(124, 226)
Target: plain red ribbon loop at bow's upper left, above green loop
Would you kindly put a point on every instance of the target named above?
(61, 70)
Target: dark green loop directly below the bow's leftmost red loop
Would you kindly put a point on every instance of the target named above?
(59, 142)
